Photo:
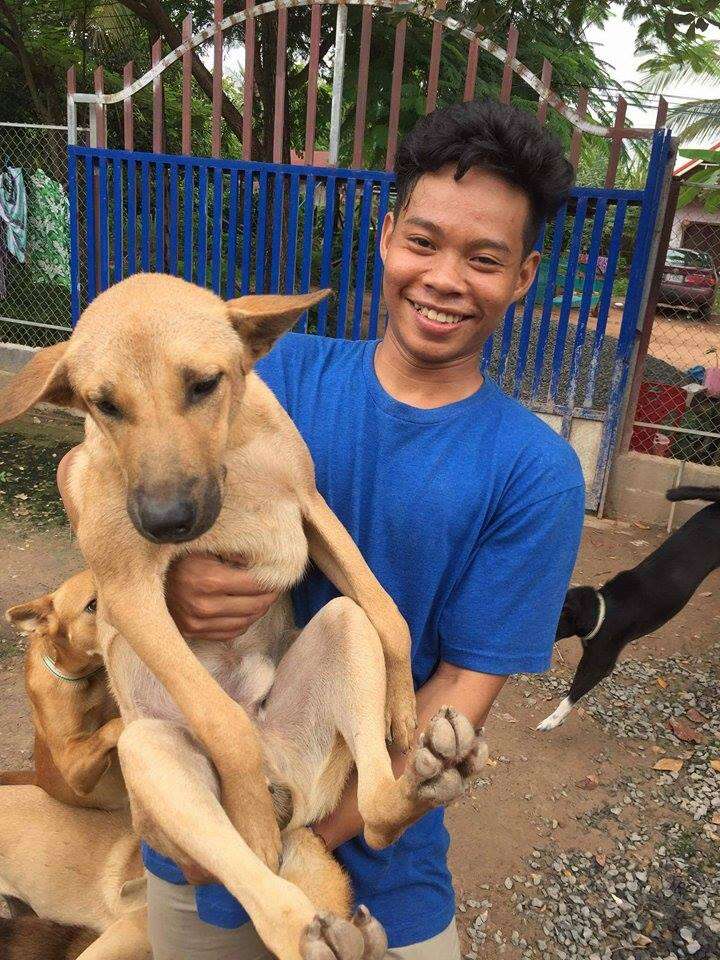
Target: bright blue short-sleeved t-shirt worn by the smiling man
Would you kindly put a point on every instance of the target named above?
(470, 517)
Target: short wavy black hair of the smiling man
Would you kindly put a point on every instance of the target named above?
(491, 136)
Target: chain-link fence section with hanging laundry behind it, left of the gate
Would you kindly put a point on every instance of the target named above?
(34, 235)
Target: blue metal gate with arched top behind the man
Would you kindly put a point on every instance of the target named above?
(246, 226)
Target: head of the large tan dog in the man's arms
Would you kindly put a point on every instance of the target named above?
(160, 365)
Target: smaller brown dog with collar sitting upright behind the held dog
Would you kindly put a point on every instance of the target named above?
(77, 723)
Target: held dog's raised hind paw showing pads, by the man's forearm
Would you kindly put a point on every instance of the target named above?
(450, 752)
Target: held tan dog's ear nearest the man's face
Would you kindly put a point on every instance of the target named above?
(261, 320)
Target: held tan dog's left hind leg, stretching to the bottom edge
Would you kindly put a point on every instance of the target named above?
(174, 794)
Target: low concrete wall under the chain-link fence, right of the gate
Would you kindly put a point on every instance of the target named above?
(637, 486)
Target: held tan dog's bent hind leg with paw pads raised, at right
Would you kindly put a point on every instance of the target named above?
(332, 682)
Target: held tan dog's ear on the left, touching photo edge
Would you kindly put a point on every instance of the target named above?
(43, 378)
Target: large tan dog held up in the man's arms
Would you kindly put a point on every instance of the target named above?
(186, 449)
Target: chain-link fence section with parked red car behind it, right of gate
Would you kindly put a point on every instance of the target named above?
(678, 409)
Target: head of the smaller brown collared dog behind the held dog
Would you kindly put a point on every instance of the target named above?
(65, 620)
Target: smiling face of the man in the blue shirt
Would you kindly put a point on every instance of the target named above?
(453, 263)
